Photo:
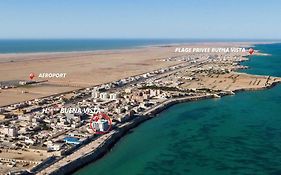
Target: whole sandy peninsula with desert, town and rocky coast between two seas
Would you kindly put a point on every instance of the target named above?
(136, 85)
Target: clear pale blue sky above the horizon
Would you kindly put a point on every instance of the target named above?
(236, 19)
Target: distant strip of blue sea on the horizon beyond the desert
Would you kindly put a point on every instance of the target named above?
(71, 45)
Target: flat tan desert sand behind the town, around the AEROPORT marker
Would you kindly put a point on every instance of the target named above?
(84, 69)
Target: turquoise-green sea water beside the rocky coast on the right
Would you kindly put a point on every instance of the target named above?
(235, 135)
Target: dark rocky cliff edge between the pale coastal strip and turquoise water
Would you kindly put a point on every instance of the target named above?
(113, 139)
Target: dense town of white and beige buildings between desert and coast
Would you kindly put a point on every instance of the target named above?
(48, 123)
